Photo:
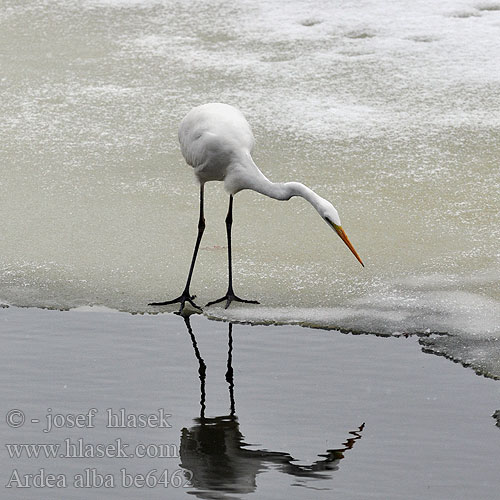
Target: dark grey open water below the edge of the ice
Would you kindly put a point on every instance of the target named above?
(273, 412)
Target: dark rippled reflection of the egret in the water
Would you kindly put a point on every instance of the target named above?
(214, 450)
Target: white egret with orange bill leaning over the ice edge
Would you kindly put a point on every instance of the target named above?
(216, 140)
